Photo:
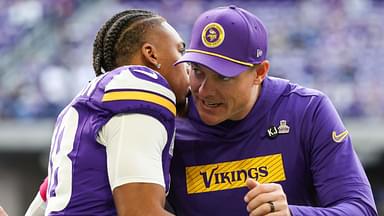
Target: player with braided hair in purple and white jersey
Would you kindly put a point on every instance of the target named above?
(111, 146)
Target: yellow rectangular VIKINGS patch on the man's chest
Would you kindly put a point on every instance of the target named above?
(233, 174)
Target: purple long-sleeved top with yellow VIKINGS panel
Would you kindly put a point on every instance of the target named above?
(293, 136)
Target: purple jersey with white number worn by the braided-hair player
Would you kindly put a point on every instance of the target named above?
(78, 175)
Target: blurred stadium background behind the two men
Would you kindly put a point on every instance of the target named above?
(336, 46)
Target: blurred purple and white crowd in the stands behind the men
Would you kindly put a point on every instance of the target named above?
(336, 46)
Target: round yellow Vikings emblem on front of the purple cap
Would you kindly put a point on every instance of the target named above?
(213, 35)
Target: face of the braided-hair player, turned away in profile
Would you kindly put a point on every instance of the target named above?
(170, 49)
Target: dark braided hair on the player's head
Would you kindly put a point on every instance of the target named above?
(120, 37)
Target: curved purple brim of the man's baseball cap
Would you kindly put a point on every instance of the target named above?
(219, 65)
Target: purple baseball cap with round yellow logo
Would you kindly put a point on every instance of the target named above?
(228, 40)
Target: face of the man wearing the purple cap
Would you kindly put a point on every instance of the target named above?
(219, 98)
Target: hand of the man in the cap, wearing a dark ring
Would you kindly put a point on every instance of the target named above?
(266, 199)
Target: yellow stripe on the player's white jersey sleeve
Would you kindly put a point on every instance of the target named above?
(143, 96)
